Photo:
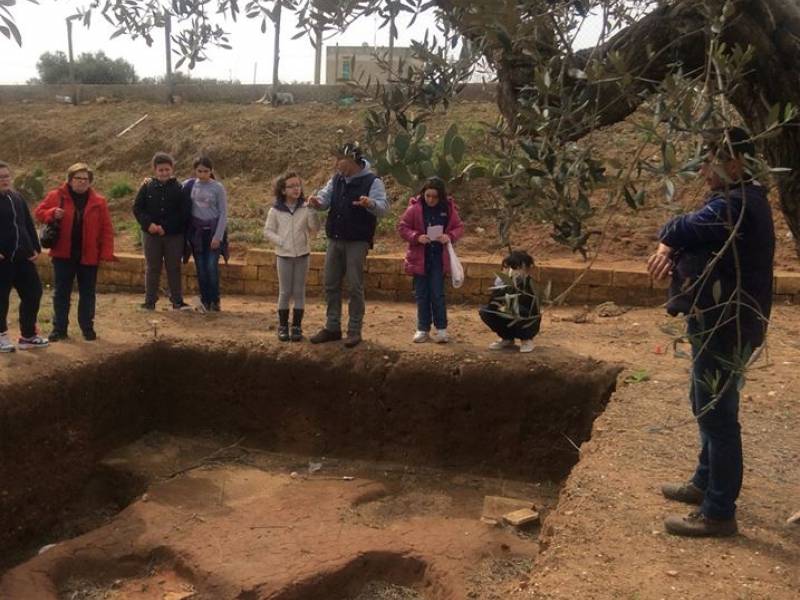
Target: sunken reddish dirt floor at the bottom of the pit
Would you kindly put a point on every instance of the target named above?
(284, 526)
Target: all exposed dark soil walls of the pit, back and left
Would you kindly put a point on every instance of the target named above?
(517, 420)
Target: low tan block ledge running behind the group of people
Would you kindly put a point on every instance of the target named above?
(386, 280)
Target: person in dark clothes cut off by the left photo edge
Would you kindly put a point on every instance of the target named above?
(19, 248)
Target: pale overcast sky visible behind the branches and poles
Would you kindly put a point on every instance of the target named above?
(43, 29)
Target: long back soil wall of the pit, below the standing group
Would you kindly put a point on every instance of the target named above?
(454, 412)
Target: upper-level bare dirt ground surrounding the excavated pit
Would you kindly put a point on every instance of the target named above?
(604, 539)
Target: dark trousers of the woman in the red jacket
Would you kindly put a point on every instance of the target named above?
(65, 272)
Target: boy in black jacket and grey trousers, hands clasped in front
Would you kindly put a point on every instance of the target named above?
(163, 210)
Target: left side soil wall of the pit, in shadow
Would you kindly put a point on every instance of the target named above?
(53, 432)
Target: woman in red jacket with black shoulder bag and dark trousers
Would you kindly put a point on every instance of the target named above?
(85, 238)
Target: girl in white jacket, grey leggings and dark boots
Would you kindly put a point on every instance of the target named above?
(290, 226)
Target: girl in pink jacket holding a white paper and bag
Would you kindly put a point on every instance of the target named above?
(429, 223)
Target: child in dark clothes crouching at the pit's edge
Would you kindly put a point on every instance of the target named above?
(513, 311)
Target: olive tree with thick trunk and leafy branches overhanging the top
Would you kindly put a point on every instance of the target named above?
(691, 65)
